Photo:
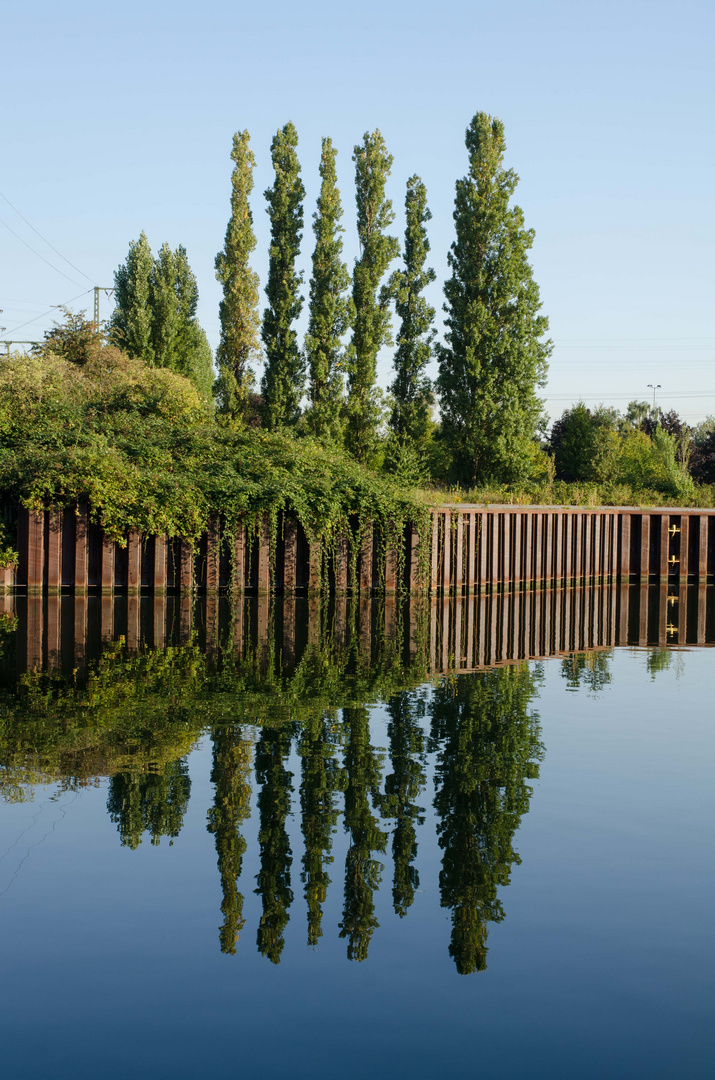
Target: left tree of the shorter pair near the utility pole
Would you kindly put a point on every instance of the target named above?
(131, 321)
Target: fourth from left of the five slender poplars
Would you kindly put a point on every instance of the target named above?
(372, 322)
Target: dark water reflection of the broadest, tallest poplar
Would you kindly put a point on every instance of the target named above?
(488, 747)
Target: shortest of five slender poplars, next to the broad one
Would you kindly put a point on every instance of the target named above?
(412, 390)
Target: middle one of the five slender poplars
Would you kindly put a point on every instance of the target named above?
(331, 309)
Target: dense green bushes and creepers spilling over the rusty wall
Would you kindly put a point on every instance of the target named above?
(139, 445)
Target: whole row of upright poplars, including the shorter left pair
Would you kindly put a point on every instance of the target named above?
(491, 363)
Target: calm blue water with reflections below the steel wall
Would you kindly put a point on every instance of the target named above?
(294, 843)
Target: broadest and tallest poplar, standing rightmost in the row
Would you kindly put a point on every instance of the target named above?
(495, 356)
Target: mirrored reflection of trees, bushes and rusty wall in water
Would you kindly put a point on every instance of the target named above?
(102, 687)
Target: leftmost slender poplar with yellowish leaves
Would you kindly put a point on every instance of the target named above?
(239, 309)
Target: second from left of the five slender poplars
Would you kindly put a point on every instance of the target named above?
(284, 379)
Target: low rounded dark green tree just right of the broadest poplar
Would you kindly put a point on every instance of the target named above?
(585, 444)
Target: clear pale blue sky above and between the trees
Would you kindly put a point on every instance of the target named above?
(116, 119)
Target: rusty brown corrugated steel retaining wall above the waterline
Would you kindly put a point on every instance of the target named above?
(471, 549)
